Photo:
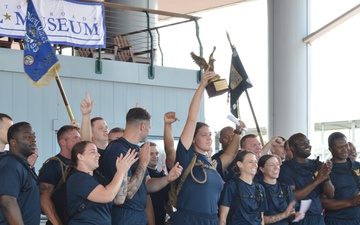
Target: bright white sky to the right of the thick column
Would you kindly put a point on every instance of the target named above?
(335, 69)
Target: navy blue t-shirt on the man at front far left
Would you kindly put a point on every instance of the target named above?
(13, 177)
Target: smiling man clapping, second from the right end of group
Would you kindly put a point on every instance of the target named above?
(307, 178)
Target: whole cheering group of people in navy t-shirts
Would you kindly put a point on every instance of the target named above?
(106, 177)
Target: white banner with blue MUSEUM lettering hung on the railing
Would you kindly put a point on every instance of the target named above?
(67, 22)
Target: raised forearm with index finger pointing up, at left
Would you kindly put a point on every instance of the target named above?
(86, 107)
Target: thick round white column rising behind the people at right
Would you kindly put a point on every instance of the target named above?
(289, 96)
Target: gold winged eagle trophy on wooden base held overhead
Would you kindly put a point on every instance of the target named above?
(216, 86)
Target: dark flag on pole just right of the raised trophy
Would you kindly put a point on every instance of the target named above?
(238, 81)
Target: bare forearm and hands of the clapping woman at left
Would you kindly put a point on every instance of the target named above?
(106, 194)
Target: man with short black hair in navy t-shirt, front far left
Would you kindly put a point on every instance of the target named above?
(19, 185)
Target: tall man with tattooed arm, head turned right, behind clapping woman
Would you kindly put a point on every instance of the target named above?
(138, 124)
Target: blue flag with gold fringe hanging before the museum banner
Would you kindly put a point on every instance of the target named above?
(40, 61)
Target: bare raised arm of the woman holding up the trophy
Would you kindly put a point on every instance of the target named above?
(194, 109)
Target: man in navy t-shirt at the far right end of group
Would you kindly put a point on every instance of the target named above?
(344, 208)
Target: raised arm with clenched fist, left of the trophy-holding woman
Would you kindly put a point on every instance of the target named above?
(169, 147)
